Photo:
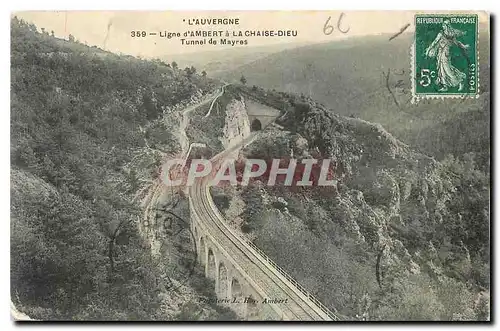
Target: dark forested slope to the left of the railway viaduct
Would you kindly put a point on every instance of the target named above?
(79, 116)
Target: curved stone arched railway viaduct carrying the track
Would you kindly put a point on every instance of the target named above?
(246, 280)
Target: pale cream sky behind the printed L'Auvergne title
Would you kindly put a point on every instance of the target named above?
(111, 30)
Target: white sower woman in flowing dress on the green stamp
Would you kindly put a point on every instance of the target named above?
(447, 75)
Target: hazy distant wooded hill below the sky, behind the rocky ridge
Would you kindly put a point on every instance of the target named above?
(350, 77)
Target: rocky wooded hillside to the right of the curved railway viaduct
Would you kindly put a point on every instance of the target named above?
(401, 236)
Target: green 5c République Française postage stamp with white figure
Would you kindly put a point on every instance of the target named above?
(445, 57)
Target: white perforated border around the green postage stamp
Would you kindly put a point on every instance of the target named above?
(415, 98)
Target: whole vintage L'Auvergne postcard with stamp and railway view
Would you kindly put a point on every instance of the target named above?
(250, 166)
